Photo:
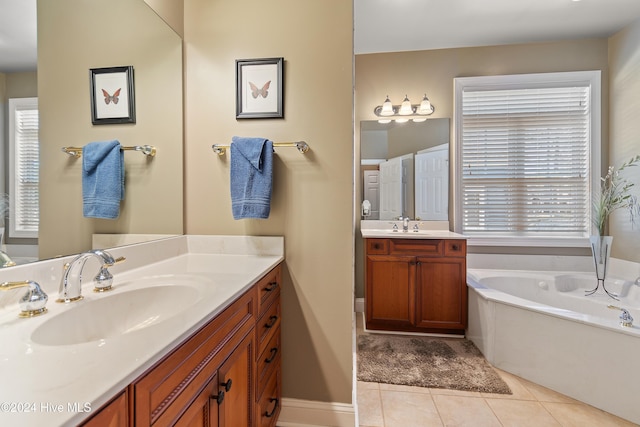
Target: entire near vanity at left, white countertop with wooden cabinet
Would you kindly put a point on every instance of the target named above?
(190, 332)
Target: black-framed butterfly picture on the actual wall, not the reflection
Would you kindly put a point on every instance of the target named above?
(259, 88)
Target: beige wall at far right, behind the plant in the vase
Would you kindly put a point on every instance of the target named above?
(624, 139)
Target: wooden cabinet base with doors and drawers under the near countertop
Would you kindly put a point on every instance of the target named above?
(220, 376)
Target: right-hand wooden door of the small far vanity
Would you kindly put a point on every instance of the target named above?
(442, 294)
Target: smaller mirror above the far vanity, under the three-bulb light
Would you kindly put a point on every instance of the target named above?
(405, 169)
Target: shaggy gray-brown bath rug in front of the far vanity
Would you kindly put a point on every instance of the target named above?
(426, 362)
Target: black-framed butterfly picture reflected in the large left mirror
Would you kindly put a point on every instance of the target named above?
(112, 95)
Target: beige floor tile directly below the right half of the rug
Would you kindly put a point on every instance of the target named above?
(461, 411)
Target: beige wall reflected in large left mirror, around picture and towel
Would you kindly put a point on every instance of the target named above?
(74, 36)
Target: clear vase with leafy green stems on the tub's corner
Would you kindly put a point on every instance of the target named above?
(614, 194)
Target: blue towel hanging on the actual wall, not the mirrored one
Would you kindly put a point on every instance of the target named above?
(251, 177)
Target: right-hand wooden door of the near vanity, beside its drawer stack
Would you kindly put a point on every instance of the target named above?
(234, 379)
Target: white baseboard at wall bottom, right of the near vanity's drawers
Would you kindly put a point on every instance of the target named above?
(308, 413)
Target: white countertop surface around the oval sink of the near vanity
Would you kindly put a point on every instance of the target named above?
(52, 385)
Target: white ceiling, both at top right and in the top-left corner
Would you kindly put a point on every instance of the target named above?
(401, 25)
